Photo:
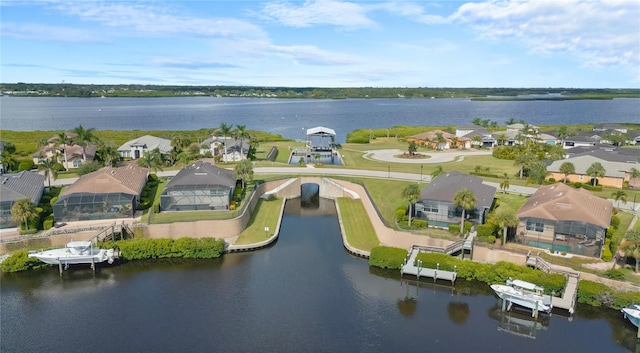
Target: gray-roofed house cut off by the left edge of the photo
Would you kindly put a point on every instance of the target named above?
(15, 186)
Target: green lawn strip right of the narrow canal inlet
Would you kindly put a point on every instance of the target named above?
(357, 225)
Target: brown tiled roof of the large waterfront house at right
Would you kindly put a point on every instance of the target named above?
(559, 202)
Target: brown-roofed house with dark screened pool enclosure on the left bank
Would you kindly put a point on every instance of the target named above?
(107, 193)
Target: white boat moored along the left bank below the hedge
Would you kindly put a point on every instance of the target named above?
(75, 252)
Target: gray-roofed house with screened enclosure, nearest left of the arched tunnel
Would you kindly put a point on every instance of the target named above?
(200, 186)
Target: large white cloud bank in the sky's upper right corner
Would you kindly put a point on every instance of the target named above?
(597, 32)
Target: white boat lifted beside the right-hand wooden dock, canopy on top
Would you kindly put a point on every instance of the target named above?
(524, 294)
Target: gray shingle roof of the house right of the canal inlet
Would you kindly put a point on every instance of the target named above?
(445, 186)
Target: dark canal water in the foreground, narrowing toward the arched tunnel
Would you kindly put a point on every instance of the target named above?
(303, 294)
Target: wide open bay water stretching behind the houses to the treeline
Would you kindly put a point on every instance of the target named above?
(290, 117)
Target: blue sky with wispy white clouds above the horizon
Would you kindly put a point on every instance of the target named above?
(323, 43)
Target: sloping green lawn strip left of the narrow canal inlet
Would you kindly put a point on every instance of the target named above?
(266, 214)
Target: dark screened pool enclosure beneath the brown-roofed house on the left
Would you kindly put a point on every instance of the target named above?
(89, 206)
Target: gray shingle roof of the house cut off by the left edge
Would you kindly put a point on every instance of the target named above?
(16, 186)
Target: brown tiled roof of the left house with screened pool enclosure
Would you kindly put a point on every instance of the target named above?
(129, 180)
